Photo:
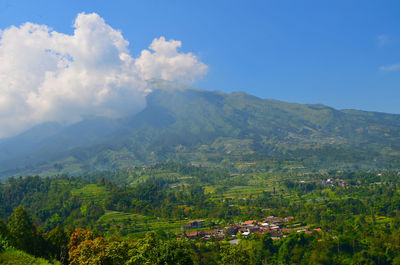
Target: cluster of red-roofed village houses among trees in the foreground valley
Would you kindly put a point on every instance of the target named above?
(275, 226)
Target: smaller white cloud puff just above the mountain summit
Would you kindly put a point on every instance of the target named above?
(165, 62)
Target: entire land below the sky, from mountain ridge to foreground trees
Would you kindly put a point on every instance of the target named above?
(176, 183)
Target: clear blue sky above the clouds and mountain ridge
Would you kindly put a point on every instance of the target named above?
(345, 54)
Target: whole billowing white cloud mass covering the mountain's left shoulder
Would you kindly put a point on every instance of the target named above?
(50, 76)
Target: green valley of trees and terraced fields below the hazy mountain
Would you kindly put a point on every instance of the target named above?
(135, 216)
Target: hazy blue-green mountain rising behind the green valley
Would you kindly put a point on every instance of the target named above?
(208, 127)
